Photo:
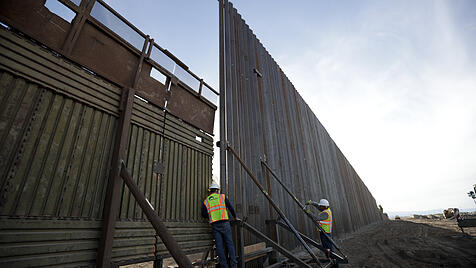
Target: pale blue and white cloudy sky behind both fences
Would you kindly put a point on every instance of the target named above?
(394, 82)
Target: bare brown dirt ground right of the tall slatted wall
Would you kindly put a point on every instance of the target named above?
(411, 243)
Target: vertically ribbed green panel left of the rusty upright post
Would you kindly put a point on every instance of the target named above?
(55, 152)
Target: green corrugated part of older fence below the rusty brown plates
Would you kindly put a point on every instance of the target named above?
(57, 130)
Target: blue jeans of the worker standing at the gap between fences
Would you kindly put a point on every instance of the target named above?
(222, 233)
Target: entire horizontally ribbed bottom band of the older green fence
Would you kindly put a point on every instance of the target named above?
(73, 243)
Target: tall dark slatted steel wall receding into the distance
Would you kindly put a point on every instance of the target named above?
(266, 118)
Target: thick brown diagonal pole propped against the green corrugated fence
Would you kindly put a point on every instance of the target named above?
(166, 237)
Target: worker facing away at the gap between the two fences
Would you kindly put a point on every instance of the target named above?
(214, 208)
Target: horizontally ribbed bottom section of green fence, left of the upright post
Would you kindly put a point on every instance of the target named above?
(28, 243)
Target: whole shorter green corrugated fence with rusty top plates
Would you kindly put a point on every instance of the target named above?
(72, 91)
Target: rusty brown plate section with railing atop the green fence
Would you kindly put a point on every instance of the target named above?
(107, 44)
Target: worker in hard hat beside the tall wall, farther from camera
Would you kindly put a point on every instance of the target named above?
(324, 219)
